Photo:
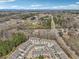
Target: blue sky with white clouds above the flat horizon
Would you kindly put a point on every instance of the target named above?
(39, 4)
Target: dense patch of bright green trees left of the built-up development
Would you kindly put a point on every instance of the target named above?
(7, 46)
